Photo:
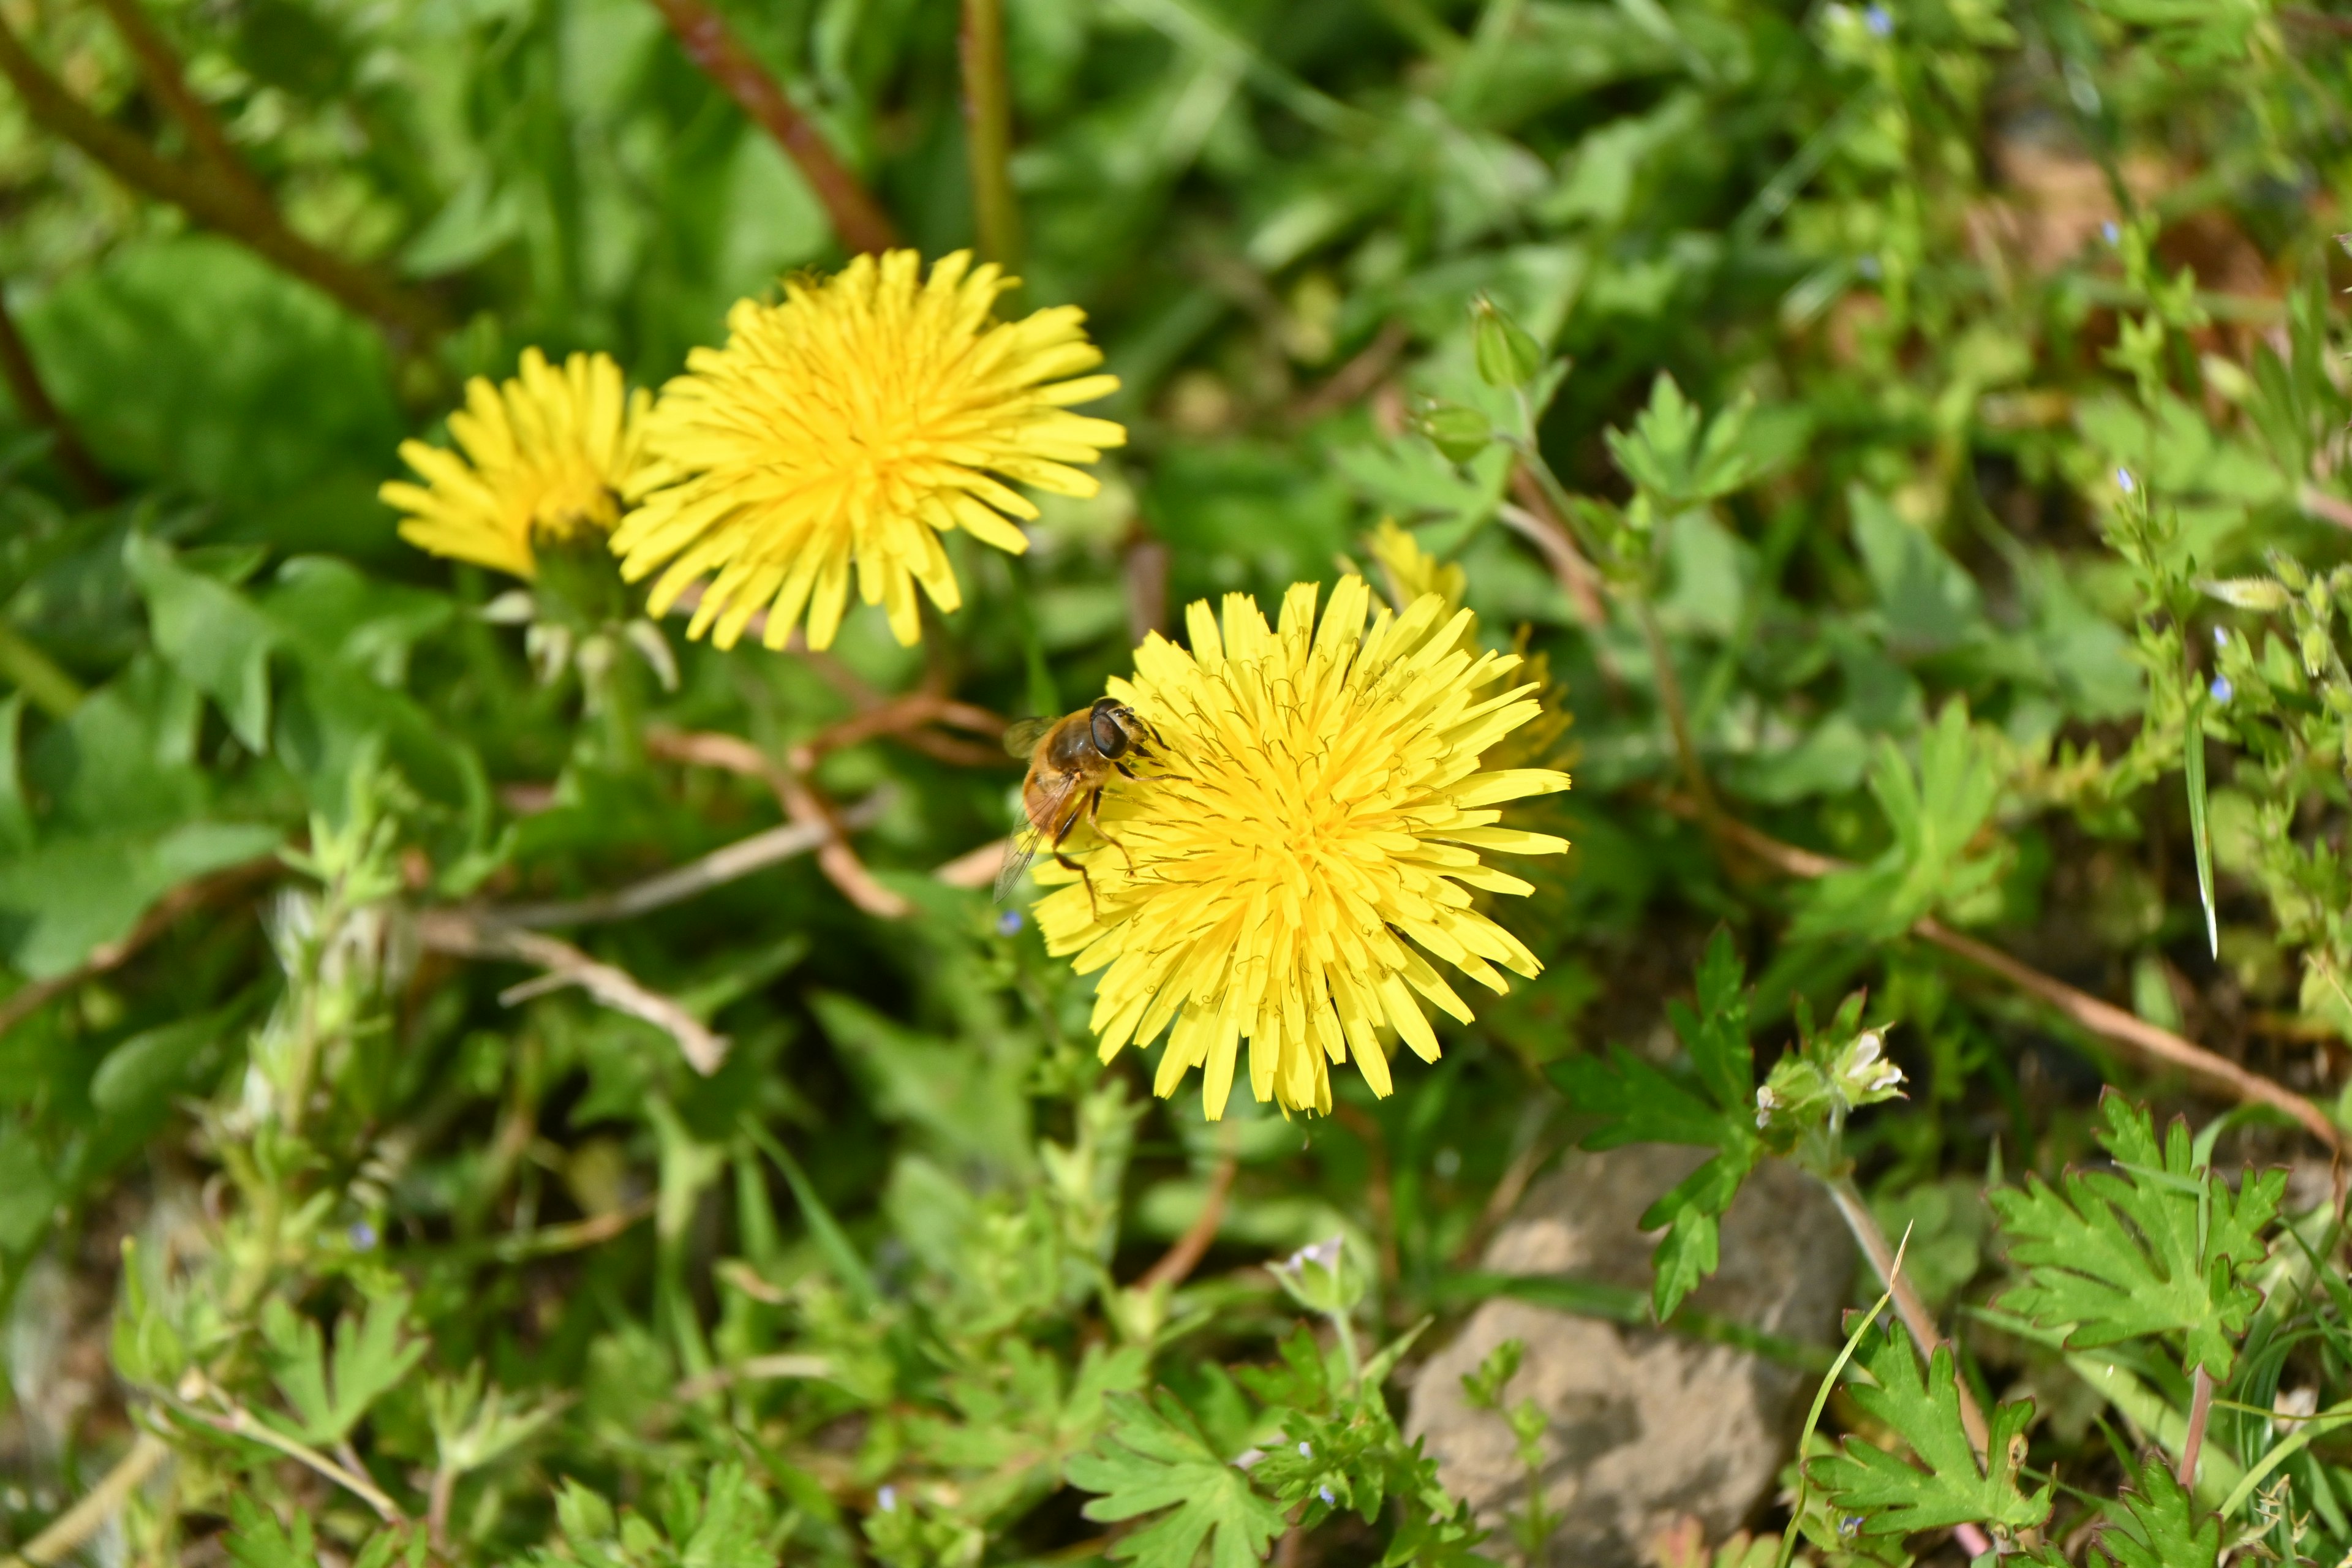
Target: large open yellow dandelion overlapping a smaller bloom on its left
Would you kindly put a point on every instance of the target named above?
(855, 424)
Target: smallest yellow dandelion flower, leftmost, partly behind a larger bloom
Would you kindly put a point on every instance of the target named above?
(547, 457)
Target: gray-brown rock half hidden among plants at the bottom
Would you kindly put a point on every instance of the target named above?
(1645, 1426)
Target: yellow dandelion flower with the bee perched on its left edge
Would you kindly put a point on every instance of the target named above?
(1299, 845)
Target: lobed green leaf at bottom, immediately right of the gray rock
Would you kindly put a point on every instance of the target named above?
(1949, 1487)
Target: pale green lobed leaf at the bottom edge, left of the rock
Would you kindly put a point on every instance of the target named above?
(1156, 1459)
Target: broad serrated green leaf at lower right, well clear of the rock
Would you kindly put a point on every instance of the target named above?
(2151, 1249)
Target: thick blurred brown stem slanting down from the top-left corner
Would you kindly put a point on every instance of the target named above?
(213, 201)
